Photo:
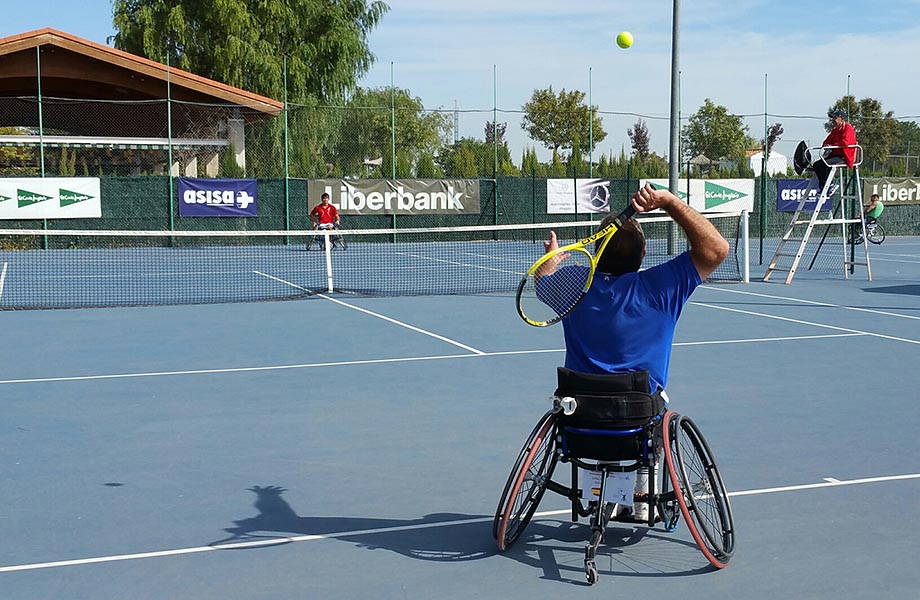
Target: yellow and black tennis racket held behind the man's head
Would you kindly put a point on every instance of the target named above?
(556, 283)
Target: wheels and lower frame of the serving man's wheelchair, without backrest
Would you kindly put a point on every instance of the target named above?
(692, 486)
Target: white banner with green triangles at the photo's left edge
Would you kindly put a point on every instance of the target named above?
(50, 198)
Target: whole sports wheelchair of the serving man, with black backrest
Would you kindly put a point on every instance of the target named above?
(610, 426)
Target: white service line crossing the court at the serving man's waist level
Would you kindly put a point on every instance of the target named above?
(372, 361)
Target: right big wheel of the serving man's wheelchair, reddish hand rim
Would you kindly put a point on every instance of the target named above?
(700, 491)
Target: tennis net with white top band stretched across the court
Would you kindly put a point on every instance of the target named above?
(96, 268)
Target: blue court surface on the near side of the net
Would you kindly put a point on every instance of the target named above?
(349, 447)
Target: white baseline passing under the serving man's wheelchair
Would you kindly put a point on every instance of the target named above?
(379, 530)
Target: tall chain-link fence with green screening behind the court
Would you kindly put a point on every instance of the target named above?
(139, 148)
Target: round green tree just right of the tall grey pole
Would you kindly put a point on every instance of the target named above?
(715, 133)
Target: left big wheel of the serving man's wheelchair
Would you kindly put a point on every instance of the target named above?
(527, 482)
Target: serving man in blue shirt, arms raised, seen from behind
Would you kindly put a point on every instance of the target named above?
(626, 321)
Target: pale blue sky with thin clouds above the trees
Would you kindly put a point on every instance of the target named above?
(476, 54)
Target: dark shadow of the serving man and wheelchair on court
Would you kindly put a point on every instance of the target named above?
(552, 546)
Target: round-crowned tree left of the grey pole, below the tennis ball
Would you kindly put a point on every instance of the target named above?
(558, 120)
